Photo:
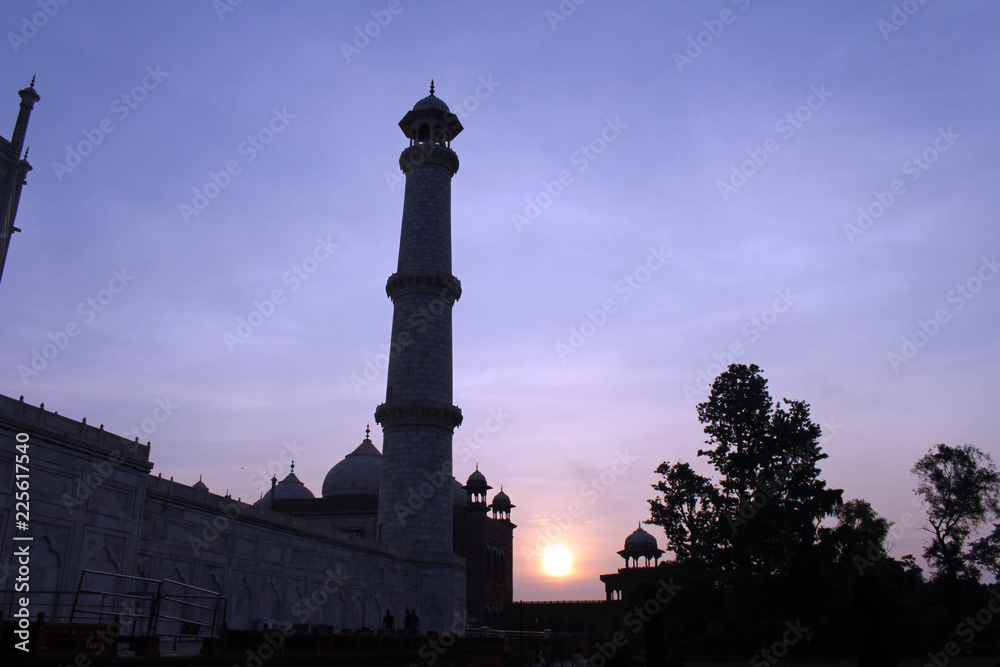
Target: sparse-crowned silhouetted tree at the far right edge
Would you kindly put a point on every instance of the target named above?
(961, 491)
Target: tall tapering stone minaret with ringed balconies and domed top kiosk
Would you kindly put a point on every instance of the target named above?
(418, 417)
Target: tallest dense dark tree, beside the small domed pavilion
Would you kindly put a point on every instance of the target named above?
(766, 507)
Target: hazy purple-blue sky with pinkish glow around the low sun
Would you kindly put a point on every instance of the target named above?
(647, 192)
